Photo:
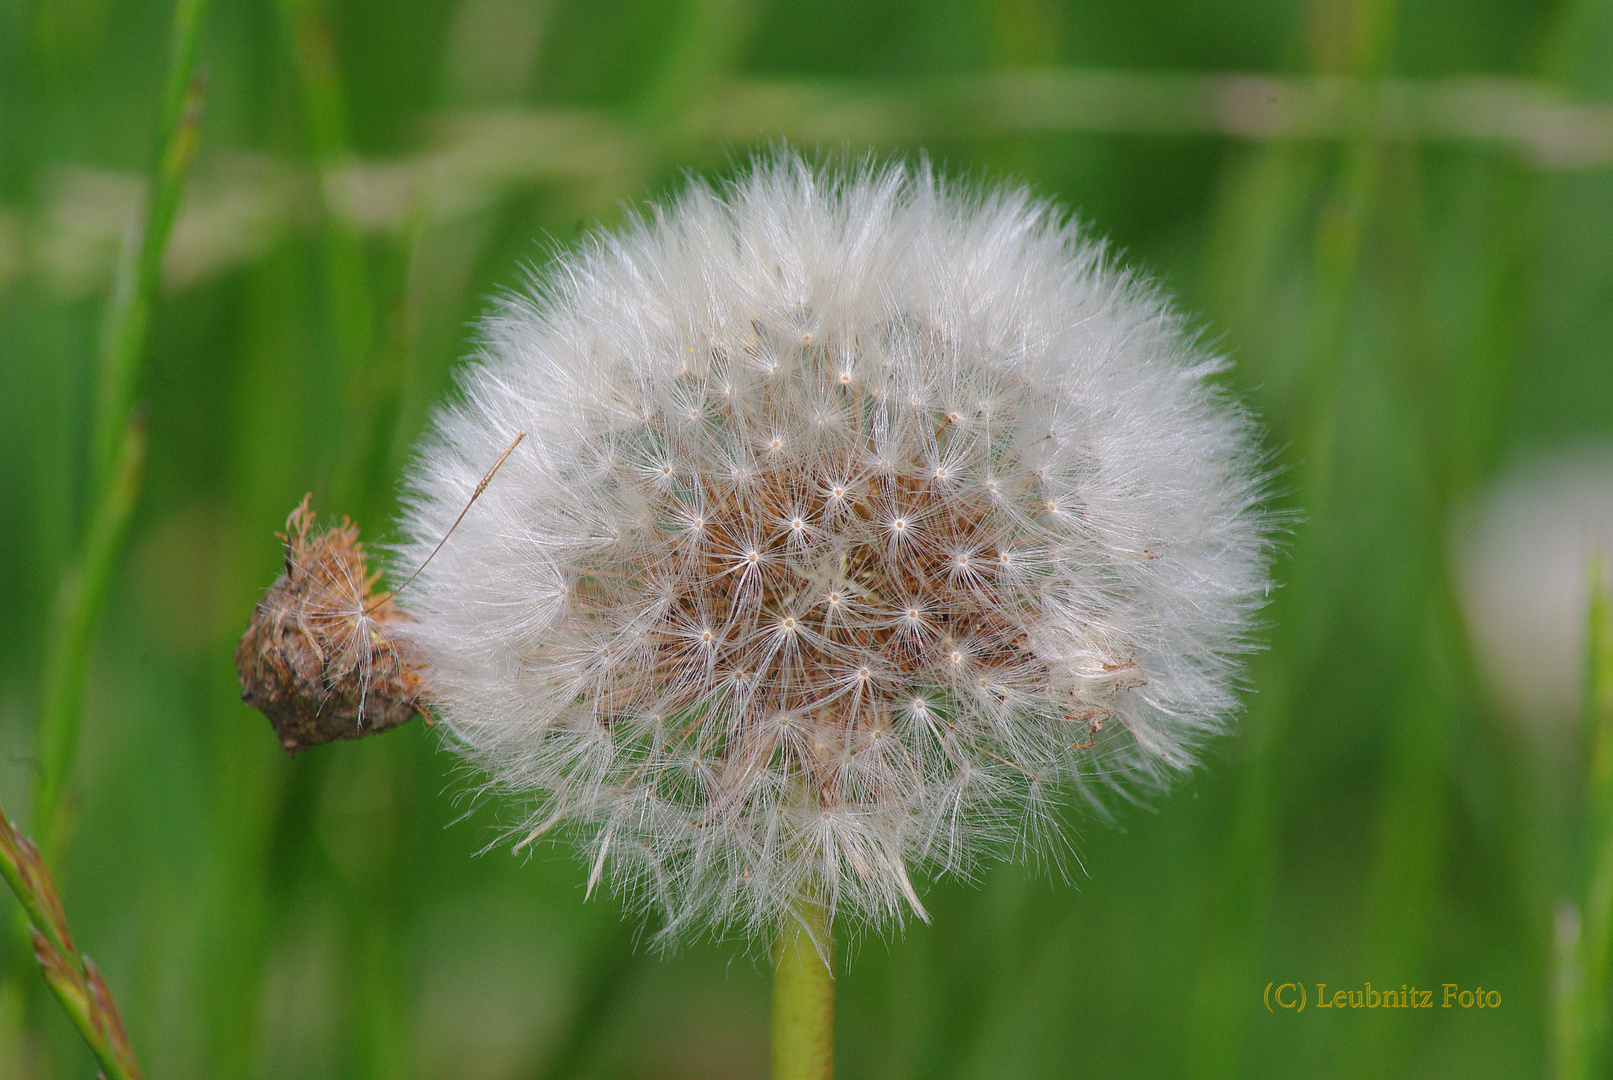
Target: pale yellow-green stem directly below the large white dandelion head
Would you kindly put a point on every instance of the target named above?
(804, 999)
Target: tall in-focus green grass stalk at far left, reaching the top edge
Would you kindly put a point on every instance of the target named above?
(119, 449)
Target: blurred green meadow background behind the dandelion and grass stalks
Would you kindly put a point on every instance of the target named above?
(1398, 218)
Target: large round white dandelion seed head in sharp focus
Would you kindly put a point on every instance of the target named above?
(859, 512)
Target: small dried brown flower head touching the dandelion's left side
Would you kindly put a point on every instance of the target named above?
(320, 657)
